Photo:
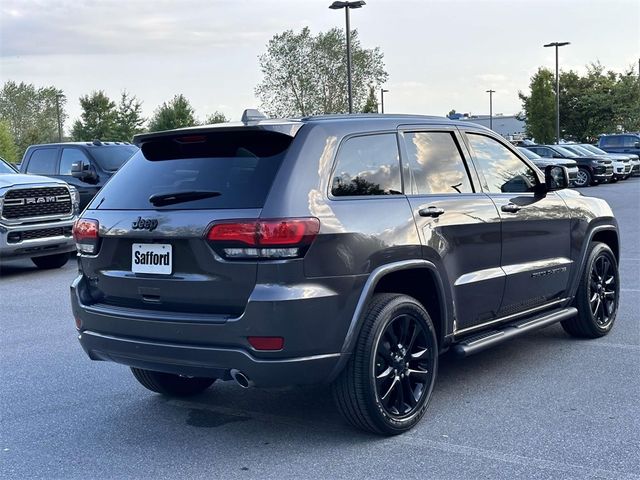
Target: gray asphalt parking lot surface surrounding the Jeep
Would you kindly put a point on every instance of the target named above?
(544, 406)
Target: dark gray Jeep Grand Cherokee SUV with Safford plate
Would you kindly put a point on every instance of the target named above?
(349, 250)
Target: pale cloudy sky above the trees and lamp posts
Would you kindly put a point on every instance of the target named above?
(440, 55)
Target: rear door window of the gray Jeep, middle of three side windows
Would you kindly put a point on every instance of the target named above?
(435, 164)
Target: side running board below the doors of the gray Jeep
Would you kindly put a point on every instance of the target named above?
(476, 343)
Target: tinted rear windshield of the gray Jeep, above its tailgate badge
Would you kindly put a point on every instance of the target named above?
(238, 166)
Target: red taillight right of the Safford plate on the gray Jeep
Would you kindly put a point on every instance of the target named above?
(269, 239)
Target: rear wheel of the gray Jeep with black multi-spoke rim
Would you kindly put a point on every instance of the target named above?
(386, 386)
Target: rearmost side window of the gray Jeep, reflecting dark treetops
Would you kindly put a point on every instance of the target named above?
(368, 165)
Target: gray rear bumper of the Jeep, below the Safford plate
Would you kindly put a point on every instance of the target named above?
(313, 328)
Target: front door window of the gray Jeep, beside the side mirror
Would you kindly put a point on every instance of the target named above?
(502, 169)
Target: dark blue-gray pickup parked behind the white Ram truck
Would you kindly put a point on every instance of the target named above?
(95, 162)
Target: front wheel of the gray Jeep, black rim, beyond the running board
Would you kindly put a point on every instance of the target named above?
(597, 295)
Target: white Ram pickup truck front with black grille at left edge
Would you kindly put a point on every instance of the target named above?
(36, 218)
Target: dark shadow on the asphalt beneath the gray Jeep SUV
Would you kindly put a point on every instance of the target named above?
(310, 411)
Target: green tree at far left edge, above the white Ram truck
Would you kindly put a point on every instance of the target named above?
(31, 113)
